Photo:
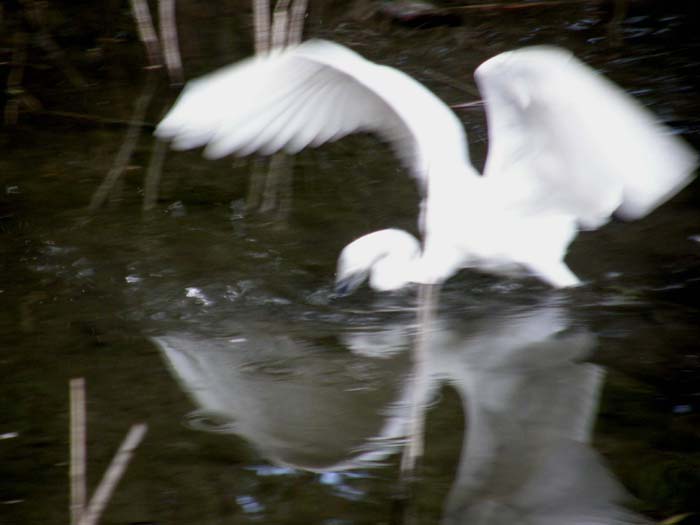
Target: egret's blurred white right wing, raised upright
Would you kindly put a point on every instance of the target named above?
(570, 139)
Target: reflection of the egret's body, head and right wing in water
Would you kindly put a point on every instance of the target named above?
(529, 407)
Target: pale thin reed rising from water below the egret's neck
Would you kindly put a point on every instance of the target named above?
(413, 450)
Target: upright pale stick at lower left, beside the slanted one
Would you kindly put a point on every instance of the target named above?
(78, 450)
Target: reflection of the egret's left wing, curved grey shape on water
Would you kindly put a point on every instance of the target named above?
(298, 405)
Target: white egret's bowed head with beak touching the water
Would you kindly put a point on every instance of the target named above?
(385, 256)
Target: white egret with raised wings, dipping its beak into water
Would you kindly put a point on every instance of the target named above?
(567, 150)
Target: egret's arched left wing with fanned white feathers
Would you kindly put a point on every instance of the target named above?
(310, 94)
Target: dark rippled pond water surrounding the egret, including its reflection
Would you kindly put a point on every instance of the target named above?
(269, 400)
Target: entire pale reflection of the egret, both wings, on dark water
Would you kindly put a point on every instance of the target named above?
(529, 402)
